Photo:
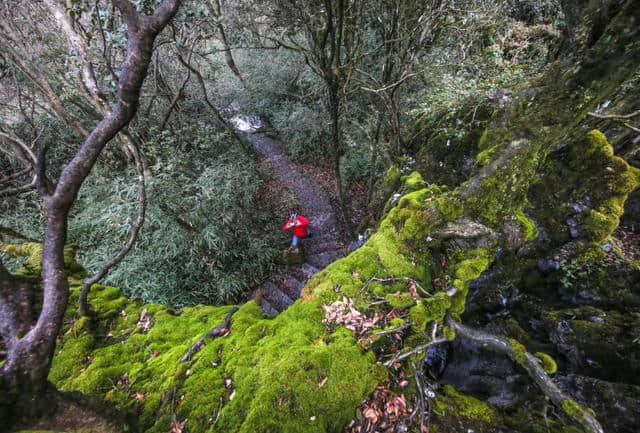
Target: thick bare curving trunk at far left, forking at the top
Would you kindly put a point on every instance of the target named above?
(29, 355)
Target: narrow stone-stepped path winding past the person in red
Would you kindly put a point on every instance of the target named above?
(326, 246)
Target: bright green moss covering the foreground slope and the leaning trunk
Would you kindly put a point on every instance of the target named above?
(531, 154)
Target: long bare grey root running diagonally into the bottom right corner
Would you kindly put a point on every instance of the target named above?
(530, 363)
